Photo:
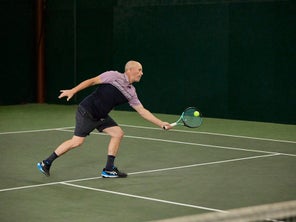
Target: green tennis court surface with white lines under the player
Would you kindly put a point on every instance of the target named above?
(223, 165)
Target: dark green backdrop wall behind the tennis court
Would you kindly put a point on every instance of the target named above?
(232, 59)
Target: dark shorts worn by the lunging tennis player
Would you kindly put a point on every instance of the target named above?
(85, 123)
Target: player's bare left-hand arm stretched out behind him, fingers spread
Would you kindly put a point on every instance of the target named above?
(69, 93)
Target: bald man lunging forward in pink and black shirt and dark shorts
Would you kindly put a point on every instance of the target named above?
(92, 113)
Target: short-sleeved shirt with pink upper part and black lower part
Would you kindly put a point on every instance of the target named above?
(114, 90)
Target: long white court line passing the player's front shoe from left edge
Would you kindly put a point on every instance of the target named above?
(142, 172)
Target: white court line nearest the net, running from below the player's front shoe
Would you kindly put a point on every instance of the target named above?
(144, 198)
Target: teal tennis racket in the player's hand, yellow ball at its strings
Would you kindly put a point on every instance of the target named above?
(191, 118)
